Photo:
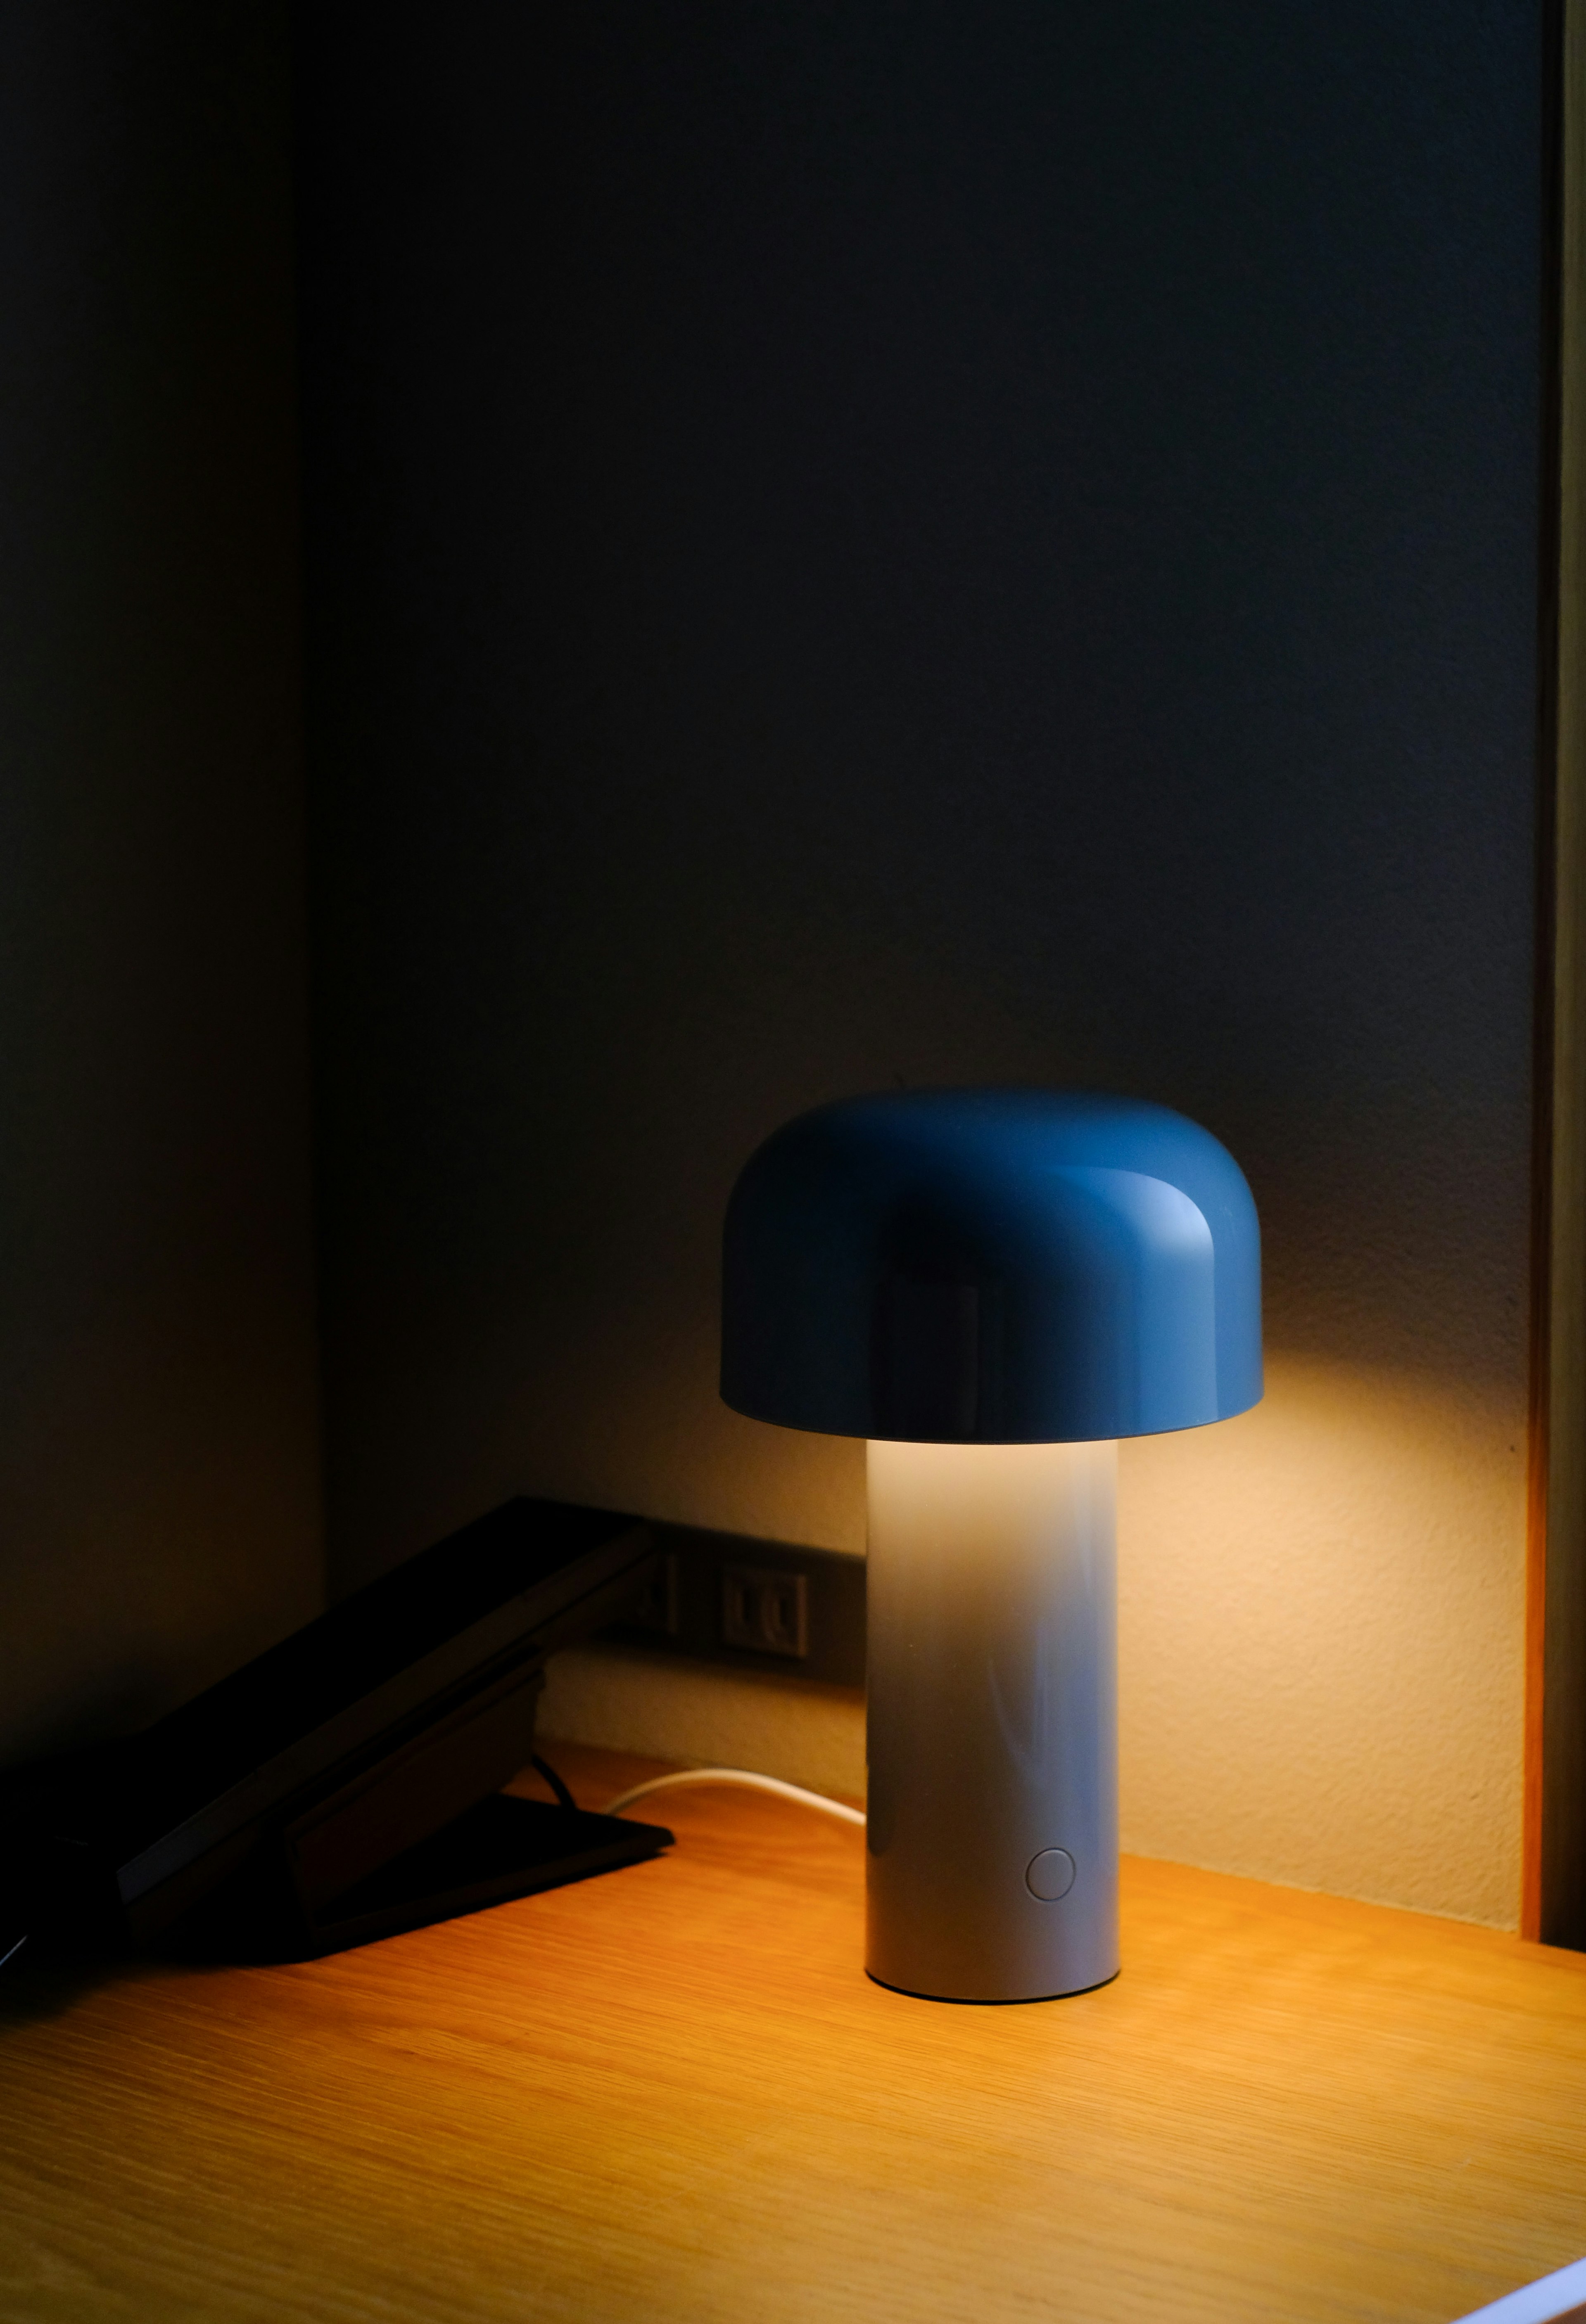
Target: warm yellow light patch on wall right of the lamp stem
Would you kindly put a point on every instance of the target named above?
(1322, 1626)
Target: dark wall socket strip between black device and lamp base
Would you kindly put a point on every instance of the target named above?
(759, 1605)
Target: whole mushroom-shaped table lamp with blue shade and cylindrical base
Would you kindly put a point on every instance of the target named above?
(992, 1286)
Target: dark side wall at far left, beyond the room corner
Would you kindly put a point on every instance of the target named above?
(159, 1486)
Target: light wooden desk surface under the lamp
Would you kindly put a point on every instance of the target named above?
(673, 2095)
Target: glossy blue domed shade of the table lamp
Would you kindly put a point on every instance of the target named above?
(992, 1268)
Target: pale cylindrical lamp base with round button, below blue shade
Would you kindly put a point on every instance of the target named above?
(992, 1721)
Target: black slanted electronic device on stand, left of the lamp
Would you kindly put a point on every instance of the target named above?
(345, 1784)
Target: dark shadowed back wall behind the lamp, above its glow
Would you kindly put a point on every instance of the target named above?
(901, 545)
